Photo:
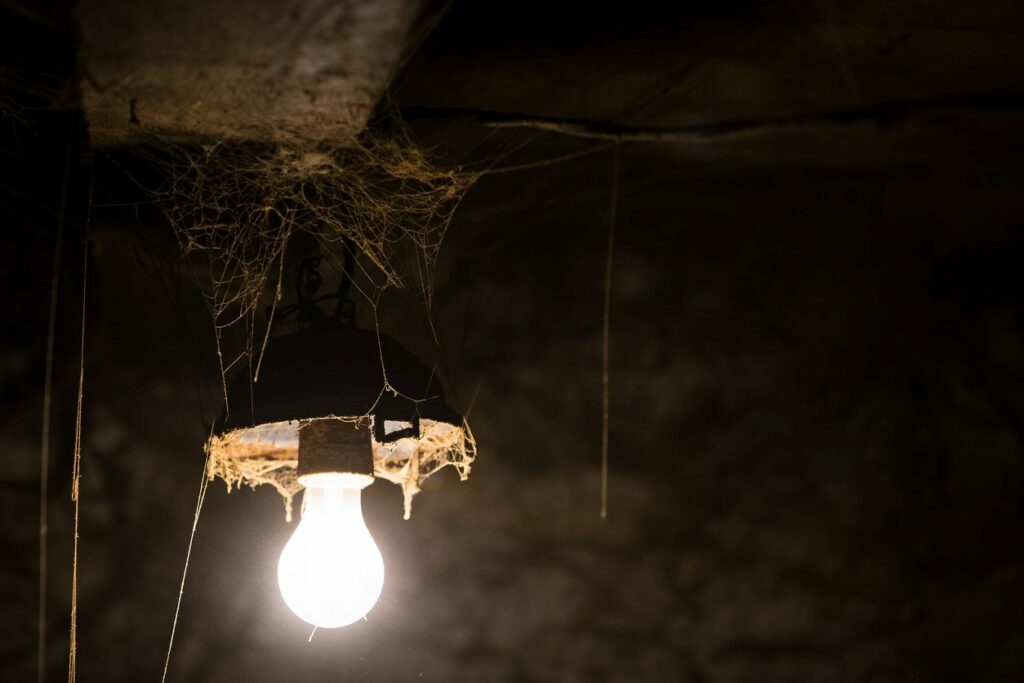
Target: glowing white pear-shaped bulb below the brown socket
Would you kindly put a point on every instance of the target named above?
(331, 572)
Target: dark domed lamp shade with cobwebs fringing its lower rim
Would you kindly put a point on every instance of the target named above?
(347, 374)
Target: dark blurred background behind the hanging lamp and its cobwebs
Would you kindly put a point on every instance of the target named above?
(818, 357)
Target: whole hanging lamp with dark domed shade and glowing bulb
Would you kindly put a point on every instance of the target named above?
(334, 408)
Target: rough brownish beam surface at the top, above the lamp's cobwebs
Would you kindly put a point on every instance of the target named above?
(221, 69)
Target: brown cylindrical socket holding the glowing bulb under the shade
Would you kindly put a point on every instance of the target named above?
(329, 446)
